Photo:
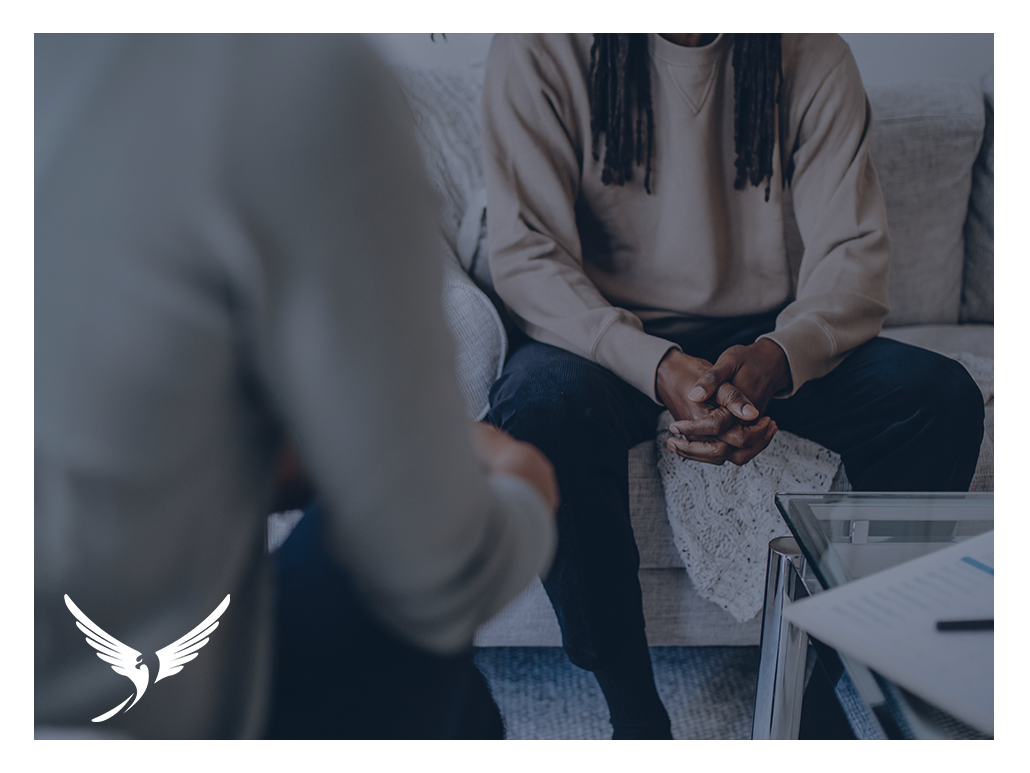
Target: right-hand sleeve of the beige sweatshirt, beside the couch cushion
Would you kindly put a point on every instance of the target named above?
(842, 296)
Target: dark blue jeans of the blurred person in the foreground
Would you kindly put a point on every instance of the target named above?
(339, 674)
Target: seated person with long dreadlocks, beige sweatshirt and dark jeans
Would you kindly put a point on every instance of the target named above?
(637, 189)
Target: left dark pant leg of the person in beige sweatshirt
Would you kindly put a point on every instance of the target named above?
(585, 419)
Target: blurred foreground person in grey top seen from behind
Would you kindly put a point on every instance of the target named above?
(234, 248)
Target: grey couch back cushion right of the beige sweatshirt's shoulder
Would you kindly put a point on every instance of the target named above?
(925, 141)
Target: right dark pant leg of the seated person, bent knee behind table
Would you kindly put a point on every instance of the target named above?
(902, 418)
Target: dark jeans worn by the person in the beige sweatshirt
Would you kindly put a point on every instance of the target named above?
(902, 418)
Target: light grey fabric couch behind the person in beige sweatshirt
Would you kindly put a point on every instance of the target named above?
(934, 150)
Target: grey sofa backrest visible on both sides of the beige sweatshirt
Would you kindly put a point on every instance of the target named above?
(928, 139)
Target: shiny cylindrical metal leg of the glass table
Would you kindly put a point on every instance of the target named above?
(784, 648)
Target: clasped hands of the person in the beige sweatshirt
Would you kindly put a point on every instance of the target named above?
(718, 410)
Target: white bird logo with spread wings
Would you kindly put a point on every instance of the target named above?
(128, 662)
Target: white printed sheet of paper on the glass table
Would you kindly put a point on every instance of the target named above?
(888, 621)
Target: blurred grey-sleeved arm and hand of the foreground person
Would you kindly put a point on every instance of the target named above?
(351, 333)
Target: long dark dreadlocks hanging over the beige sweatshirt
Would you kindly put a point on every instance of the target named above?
(621, 89)
